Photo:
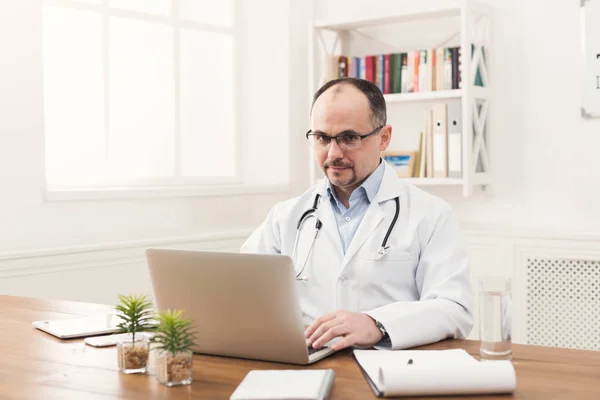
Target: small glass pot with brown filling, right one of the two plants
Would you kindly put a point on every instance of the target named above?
(174, 370)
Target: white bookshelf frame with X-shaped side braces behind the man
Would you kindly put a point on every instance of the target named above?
(470, 25)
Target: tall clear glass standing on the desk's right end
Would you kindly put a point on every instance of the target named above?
(495, 318)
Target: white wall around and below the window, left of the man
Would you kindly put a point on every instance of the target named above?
(36, 232)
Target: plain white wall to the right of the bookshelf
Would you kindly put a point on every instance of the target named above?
(544, 155)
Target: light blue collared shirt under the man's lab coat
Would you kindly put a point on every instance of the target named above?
(348, 219)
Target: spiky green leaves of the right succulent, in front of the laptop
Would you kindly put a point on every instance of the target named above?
(173, 333)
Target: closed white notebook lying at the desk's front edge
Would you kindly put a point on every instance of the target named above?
(313, 384)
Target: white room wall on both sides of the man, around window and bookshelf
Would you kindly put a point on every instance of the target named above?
(547, 177)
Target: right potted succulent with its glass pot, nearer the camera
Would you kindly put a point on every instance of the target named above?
(173, 339)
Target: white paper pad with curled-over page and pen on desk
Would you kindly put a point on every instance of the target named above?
(433, 372)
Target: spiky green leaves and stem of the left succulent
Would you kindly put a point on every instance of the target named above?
(137, 314)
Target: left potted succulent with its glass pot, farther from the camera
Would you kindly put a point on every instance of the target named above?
(137, 316)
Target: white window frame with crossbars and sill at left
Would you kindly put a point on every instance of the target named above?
(176, 185)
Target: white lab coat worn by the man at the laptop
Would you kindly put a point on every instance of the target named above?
(420, 291)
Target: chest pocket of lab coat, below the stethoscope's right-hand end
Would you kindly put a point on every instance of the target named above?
(388, 279)
